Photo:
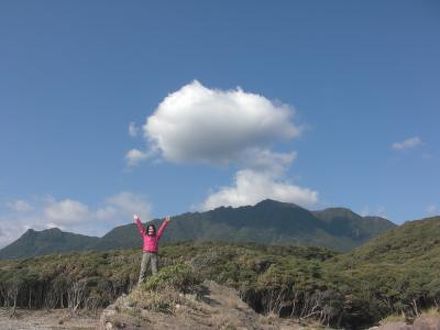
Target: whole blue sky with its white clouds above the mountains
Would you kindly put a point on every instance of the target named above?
(353, 78)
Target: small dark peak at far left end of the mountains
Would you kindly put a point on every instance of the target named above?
(33, 243)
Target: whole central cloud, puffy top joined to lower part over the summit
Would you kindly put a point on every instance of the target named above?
(196, 124)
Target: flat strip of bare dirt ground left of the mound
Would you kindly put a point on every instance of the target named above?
(47, 319)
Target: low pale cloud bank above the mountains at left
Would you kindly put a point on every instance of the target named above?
(70, 215)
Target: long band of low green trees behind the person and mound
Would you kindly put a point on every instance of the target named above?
(301, 282)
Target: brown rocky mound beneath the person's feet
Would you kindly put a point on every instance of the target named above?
(218, 308)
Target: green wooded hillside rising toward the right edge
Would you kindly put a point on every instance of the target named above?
(394, 273)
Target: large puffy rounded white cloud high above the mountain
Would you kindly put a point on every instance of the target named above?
(198, 124)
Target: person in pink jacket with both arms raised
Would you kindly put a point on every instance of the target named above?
(150, 244)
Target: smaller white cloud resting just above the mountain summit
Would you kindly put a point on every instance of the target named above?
(250, 187)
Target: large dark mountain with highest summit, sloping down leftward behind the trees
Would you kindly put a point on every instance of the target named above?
(268, 222)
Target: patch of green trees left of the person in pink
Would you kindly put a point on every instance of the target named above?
(77, 280)
